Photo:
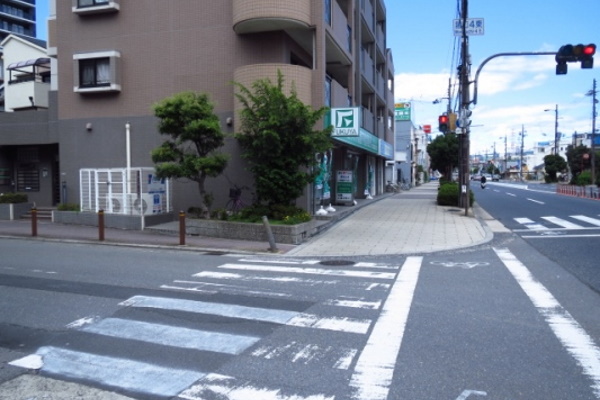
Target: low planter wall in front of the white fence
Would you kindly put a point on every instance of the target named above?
(119, 221)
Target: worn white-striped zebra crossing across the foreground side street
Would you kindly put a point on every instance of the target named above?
(193, 342)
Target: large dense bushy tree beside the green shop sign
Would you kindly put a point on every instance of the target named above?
(279, 140)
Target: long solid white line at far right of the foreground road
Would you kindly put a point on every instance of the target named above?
(568, 331)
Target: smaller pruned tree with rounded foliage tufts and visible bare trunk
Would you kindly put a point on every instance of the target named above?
(195, 132)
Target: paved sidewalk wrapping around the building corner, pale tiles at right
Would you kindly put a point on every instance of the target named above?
(403, 223)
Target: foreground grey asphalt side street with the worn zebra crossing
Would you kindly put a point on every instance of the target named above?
(499, 321)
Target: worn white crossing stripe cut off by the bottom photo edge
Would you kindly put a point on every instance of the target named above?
(227, 387)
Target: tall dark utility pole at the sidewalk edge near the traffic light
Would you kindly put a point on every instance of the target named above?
(465, 102)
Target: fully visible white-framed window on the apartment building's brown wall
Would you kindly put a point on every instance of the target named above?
(97, 72)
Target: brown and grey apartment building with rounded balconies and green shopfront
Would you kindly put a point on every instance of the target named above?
(111, 60)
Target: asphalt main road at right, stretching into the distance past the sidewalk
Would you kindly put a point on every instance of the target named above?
(563, 228)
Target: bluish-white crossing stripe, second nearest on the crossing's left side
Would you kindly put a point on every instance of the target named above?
(173, 336)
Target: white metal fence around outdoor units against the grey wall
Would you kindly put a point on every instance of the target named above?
(128, 191)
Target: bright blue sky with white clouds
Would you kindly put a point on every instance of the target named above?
(513, 92)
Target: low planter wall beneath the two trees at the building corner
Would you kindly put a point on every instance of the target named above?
(285, 234)
